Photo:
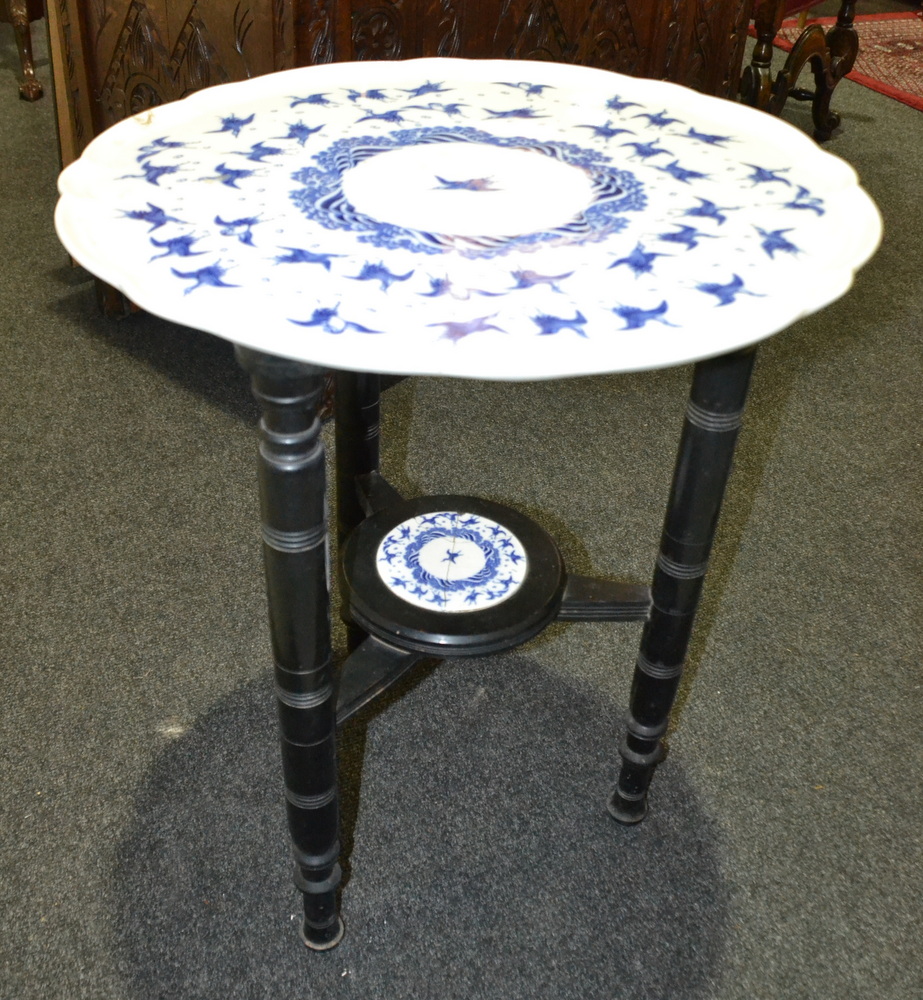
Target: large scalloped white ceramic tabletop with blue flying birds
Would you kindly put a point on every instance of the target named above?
(492, 219)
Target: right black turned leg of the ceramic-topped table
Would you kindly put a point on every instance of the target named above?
(703, 464)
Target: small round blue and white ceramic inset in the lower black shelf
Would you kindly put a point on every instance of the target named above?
(451, 561)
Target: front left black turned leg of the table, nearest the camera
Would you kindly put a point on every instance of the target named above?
(293, 503)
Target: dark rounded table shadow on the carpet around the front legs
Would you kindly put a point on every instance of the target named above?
(483, 862)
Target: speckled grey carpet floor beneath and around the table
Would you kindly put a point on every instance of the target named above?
(142, 843)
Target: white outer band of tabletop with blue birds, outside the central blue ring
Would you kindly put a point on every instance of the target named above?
(534, 313)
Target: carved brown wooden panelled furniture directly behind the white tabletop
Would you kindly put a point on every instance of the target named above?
(113, 58)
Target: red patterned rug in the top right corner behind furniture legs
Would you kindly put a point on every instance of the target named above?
(890, 53)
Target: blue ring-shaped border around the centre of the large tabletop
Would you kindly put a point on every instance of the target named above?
(322, 200)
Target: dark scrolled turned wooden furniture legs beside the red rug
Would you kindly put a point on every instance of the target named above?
(831, 56)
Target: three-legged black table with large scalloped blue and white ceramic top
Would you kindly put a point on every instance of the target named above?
(478, 219)
